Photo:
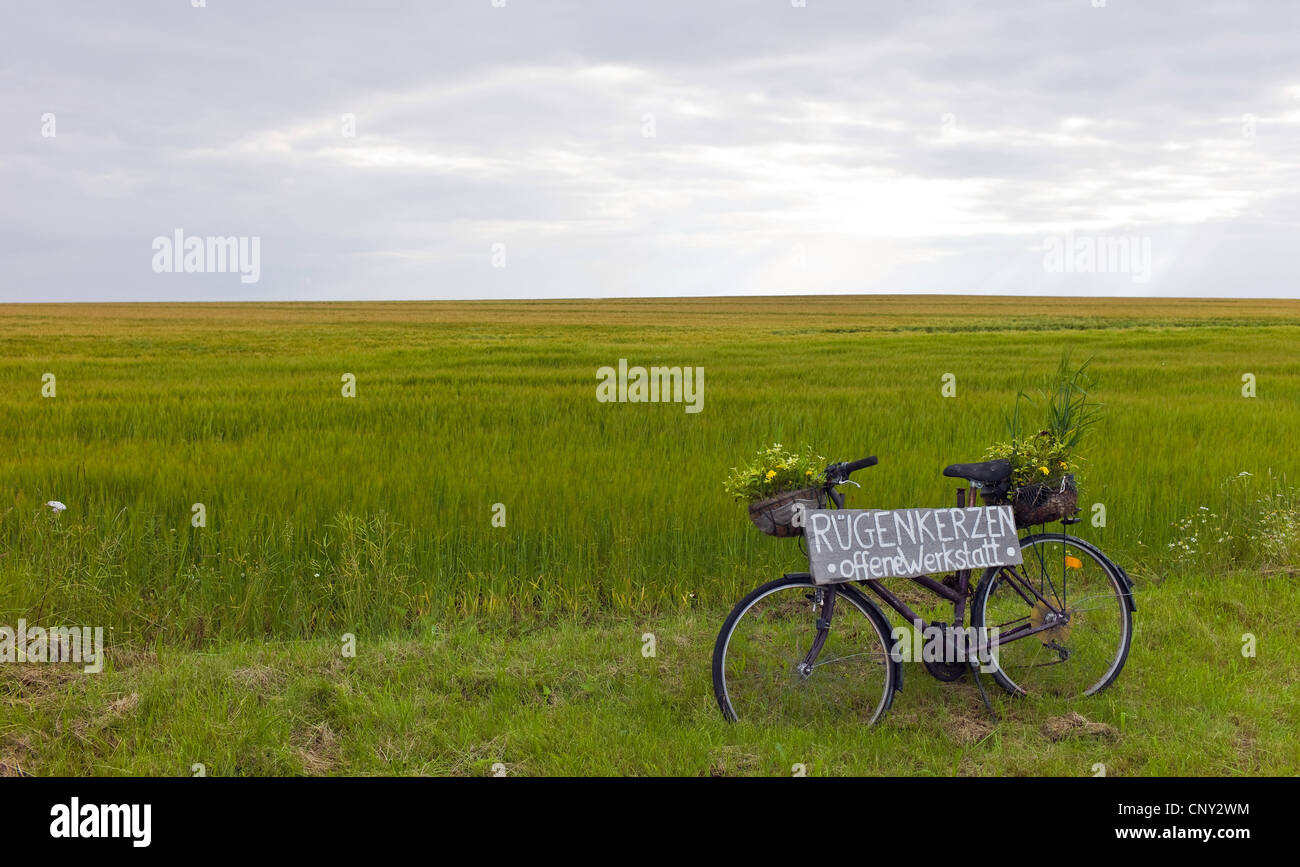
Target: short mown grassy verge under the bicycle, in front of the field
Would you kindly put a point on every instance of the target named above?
(569, 697)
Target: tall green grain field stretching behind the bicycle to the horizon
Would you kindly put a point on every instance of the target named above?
(327, 514)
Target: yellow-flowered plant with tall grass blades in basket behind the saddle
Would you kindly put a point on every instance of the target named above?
(1047, 456)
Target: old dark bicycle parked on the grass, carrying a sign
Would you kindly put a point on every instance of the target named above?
(794, 649)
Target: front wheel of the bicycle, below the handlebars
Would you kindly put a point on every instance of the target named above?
(794, 652)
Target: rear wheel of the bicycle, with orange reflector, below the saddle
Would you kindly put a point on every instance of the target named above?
(1077, 654)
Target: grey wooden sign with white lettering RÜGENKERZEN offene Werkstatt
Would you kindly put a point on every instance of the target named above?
(855, 545)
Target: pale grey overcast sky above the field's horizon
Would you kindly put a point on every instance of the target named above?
(651, 148)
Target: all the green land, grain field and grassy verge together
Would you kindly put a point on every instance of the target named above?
(374, 517)
